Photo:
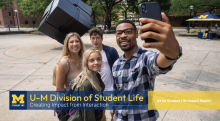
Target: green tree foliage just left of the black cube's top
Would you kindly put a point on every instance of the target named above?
(35, 8)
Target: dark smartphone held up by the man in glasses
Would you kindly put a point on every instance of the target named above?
(150, 10)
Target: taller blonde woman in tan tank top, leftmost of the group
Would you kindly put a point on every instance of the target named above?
(70, 64)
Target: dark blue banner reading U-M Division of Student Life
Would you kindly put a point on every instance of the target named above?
(79, 100)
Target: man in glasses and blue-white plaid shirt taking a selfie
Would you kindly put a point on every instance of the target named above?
(137, 68)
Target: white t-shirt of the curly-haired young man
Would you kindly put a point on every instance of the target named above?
(106, 73)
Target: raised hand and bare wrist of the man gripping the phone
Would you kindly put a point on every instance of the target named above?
(166, 41)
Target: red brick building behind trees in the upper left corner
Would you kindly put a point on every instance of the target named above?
(8, 17)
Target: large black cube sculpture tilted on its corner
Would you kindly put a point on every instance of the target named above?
(64, 16)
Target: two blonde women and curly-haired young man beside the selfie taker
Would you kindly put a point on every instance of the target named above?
(87, 69)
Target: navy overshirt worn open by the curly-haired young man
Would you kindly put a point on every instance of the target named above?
(111, 54)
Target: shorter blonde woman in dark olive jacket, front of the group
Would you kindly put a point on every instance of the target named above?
(88, 80)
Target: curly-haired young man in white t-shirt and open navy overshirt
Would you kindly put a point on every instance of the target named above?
(109, 56)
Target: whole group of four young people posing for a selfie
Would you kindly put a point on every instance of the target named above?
(101, 69)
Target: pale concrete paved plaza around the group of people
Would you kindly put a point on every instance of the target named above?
(27, 62)
